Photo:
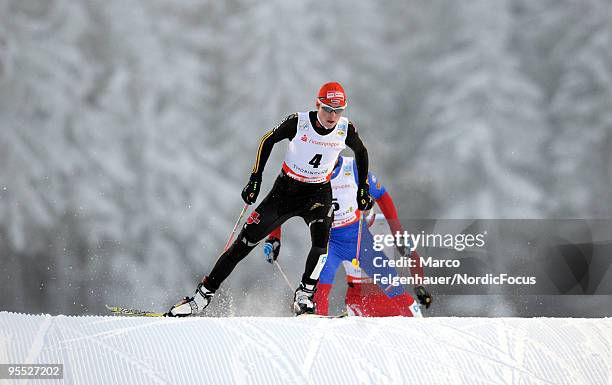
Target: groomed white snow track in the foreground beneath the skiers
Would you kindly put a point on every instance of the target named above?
(121, 350)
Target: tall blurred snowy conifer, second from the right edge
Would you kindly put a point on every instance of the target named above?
(484, 121)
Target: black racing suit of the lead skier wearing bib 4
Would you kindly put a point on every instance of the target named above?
(289, 198)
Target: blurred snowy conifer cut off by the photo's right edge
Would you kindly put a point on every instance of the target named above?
(581, 111)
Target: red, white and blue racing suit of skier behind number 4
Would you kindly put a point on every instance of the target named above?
(363, 297)
